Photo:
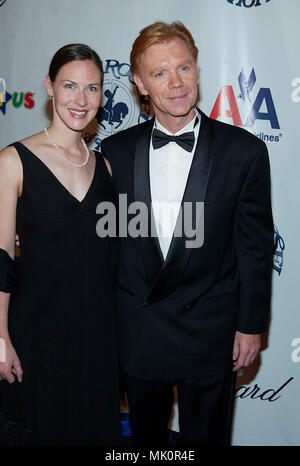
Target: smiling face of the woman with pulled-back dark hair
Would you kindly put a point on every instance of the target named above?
(76, 93)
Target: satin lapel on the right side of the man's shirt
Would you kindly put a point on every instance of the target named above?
(178, 254)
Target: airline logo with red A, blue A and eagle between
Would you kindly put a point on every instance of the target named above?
(247, 106)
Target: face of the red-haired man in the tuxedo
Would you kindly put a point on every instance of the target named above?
(169, 74)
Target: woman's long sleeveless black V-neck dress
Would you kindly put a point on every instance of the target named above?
(61, 319)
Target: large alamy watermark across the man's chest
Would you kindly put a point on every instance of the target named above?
(136, 219)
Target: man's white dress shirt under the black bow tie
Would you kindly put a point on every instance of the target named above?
(169, 167)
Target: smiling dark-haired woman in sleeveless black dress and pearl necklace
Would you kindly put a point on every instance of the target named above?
(58, 361)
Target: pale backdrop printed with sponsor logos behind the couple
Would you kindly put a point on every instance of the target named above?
(249, 77)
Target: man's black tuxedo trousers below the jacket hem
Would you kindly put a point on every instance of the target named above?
(204, 405)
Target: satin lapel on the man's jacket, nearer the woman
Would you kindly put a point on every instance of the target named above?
(149, 246)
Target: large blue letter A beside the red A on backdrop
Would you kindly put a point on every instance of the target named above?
(255, 114)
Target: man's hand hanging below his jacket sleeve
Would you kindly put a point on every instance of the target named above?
(245, 349)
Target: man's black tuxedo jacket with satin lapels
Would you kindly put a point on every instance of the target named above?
(176, 318)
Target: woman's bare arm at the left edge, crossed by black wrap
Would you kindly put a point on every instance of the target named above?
(10, 189)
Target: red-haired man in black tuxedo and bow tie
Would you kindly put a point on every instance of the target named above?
(188, 316)
